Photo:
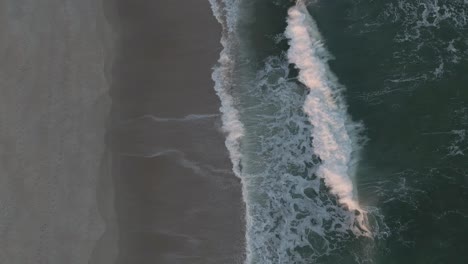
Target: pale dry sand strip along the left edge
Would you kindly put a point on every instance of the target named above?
(54, 108)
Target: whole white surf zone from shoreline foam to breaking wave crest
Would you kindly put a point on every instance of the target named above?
(290, 139)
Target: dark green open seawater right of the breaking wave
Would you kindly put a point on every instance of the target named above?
(405, 67)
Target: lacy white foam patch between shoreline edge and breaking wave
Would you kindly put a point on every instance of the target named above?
(286, 204)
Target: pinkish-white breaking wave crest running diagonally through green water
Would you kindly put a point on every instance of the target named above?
(333, 131)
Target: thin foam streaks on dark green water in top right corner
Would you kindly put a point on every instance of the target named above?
(421, 25)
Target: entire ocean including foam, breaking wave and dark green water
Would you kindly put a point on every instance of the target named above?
(346, 122)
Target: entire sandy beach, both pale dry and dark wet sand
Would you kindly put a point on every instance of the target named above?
(83, 179)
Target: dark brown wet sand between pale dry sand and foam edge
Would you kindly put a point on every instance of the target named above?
(177, 200)
